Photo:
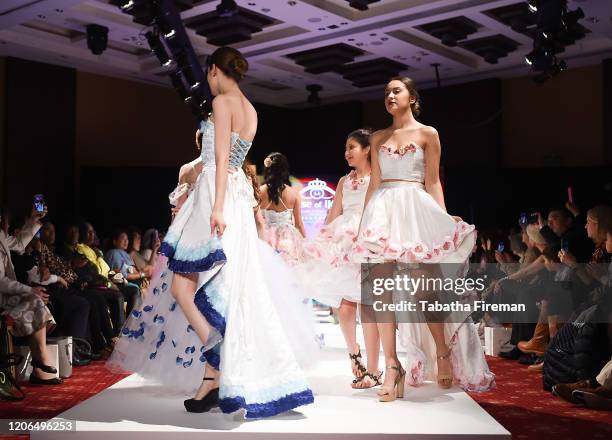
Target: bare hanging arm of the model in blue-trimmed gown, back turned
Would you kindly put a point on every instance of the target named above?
(223, 128)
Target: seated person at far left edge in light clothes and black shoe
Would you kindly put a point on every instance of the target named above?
(25, 305)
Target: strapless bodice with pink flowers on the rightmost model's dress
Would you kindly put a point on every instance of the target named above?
(405, 162)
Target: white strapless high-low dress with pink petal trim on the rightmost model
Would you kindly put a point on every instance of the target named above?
(402, 222)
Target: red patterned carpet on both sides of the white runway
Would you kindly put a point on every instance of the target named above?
(519, 403)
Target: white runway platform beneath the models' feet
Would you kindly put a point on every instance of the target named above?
(127, 410)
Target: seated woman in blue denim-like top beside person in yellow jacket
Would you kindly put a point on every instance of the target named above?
(120, 262)
